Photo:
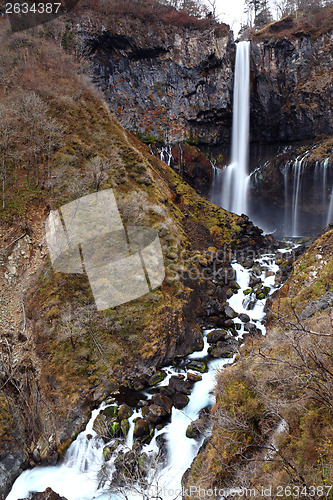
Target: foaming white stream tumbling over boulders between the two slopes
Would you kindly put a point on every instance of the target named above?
(79, 477)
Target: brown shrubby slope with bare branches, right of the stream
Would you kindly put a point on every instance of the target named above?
(272, 422)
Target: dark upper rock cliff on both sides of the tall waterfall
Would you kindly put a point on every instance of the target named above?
(175, 83)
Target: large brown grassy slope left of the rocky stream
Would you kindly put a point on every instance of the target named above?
(59, 356)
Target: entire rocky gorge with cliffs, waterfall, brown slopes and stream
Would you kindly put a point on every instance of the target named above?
(124, 402)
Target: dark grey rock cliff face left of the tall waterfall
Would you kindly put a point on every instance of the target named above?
(164, 81)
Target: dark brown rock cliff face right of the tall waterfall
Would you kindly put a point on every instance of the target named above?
(291, 84)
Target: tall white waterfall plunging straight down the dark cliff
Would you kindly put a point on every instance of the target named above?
(235, 179)
